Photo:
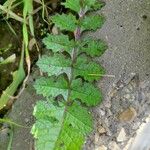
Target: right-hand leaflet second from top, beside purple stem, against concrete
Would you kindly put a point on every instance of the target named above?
(92, 22)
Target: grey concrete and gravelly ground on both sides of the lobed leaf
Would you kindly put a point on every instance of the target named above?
(126, 99)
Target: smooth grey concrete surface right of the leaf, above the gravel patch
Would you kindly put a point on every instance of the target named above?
(127, 32)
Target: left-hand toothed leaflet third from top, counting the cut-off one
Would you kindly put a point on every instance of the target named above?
(58, 43)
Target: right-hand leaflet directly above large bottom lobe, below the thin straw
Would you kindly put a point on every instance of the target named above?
(85, 92)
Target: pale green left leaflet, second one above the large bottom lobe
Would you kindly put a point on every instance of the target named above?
(55, 65)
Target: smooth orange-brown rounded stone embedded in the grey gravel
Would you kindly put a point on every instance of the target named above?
(128, 115)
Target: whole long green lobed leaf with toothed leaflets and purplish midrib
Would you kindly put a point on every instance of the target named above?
(63, 120)
